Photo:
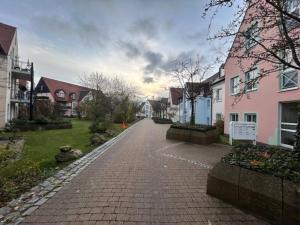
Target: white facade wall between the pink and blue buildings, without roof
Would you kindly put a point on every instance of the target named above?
(218, 106)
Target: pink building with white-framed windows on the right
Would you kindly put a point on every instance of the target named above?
(273, 102)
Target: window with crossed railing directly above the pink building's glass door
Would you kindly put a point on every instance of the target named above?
(289, 76)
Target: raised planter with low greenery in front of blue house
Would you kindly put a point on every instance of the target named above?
(199, 134)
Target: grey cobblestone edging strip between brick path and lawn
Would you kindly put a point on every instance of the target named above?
(16, 210)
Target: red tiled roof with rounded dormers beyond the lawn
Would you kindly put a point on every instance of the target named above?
(55, 85)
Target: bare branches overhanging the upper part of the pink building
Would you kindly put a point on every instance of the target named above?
(264, 31)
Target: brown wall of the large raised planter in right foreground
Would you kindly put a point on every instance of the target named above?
(275, 199)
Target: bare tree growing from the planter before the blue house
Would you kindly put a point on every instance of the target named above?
(190, 73)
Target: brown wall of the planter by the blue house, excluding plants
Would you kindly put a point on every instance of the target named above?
(197, 137)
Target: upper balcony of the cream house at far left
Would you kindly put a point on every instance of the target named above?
(21, 70)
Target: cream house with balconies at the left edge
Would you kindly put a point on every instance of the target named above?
(15, 78)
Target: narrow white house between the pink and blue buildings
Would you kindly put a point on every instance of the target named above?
(218, 96)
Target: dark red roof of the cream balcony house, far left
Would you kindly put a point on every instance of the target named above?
(7, 33)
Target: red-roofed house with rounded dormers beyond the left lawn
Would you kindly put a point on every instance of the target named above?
(62, 94)
